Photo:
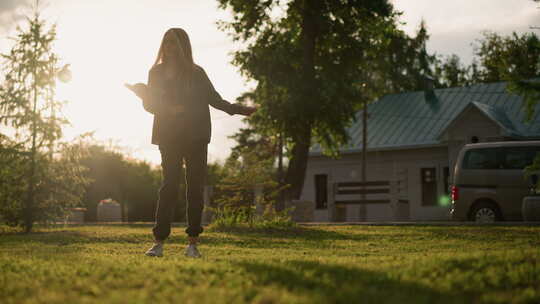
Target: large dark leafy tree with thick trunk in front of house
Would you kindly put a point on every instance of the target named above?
(308, 58)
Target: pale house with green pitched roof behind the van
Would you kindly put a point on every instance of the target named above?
(412, 143)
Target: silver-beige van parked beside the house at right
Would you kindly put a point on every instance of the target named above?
(489, 180)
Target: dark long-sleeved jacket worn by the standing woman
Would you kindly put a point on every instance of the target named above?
(194, 123)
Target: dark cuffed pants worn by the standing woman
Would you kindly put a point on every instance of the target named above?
(194, 156)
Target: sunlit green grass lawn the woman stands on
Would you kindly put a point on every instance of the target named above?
(316, 264)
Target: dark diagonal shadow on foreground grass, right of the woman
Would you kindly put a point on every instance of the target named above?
(328, 283)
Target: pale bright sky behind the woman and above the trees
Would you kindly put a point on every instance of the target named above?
(109, 43)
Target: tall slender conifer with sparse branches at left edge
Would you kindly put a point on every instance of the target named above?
(29, 108)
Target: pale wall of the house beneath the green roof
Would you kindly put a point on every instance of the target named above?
(381, 165)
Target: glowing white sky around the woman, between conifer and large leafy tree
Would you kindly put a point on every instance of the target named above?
(110, 43)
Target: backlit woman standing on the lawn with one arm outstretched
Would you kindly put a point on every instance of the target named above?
(178, 94)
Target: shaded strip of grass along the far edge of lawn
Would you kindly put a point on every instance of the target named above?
(265, 237)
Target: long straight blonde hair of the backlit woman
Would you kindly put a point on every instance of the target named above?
(185, 57)
